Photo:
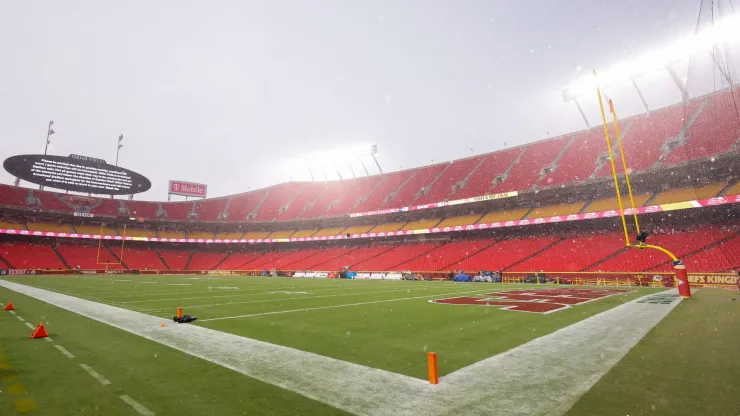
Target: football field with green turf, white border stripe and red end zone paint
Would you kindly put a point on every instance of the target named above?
(315, 346)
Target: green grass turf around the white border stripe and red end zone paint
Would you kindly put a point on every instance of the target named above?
(380, 324)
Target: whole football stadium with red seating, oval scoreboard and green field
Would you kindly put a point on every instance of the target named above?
(568, 275)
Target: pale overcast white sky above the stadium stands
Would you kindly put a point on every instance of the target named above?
(224, 93)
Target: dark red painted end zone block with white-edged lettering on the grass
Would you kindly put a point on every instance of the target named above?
(536, 301)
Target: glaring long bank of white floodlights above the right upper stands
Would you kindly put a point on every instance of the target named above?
(724, 31)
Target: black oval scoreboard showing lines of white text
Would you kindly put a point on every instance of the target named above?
(78, 174)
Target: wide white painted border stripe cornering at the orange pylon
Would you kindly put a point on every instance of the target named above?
(544, 376)
